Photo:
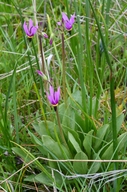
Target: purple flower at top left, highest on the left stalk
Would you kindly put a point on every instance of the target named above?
(30, 29)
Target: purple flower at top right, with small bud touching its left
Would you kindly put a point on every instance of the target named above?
(68, 23)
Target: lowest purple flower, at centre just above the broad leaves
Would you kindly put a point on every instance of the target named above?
(53, 96)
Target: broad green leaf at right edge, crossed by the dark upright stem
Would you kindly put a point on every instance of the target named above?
(122, 139)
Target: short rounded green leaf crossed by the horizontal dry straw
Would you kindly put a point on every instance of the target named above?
(80, 167)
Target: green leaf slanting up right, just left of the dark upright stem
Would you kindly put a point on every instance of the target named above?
(101, 132)
